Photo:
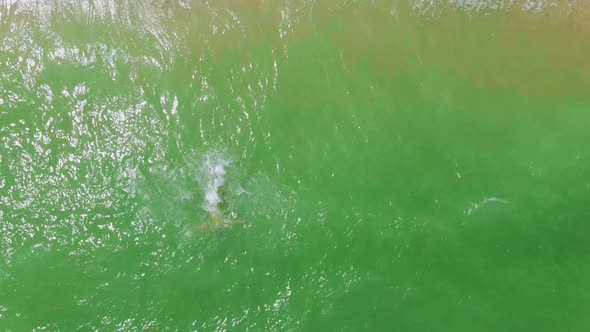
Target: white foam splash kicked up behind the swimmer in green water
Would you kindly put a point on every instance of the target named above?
(214, 171)
